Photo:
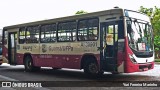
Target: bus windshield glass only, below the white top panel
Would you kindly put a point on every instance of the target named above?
(139, 35)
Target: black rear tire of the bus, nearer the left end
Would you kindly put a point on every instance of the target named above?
(28, 63)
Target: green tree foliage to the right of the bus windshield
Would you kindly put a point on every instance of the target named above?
(154, 14)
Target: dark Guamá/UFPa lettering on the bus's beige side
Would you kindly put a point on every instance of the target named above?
(61, 48)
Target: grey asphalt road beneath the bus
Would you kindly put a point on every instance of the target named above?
(69, 79)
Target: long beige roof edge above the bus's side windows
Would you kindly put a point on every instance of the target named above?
(68, 18)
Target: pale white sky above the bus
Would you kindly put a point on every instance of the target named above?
(14, 12)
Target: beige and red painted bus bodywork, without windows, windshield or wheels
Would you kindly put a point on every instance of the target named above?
(70, 54)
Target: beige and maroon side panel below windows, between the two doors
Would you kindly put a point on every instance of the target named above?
(64, 55)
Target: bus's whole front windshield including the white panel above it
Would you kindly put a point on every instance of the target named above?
(139, 31)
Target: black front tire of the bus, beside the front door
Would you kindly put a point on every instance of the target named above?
(91, 68)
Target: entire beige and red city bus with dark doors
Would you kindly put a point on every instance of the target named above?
(115, 40)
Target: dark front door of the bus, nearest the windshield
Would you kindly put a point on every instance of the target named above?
(108, 44)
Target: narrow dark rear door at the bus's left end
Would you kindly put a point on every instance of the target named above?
(12, 38)
